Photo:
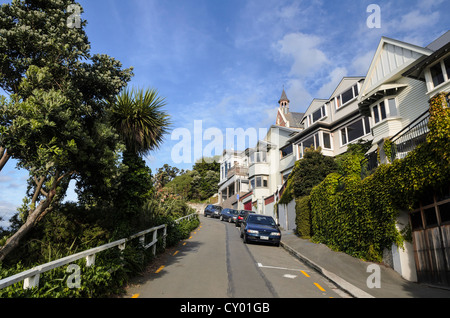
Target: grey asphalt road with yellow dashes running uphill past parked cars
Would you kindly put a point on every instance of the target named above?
(215, 263)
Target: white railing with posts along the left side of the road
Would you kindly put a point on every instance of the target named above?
(31, 276)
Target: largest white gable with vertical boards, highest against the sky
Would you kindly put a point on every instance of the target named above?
(391, 59)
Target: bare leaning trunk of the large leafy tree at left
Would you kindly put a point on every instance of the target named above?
(32, 219)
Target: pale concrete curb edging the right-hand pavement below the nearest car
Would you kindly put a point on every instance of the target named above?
(341, 283)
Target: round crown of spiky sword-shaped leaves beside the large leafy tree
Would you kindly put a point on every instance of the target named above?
(138, 117)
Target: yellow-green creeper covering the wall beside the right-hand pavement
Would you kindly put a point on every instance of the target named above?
(359, 216)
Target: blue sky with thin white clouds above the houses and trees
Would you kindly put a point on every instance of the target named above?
(225, 62)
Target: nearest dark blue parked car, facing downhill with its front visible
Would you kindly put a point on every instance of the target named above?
(260, 228)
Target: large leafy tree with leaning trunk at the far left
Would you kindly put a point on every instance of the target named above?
(54, 121)
